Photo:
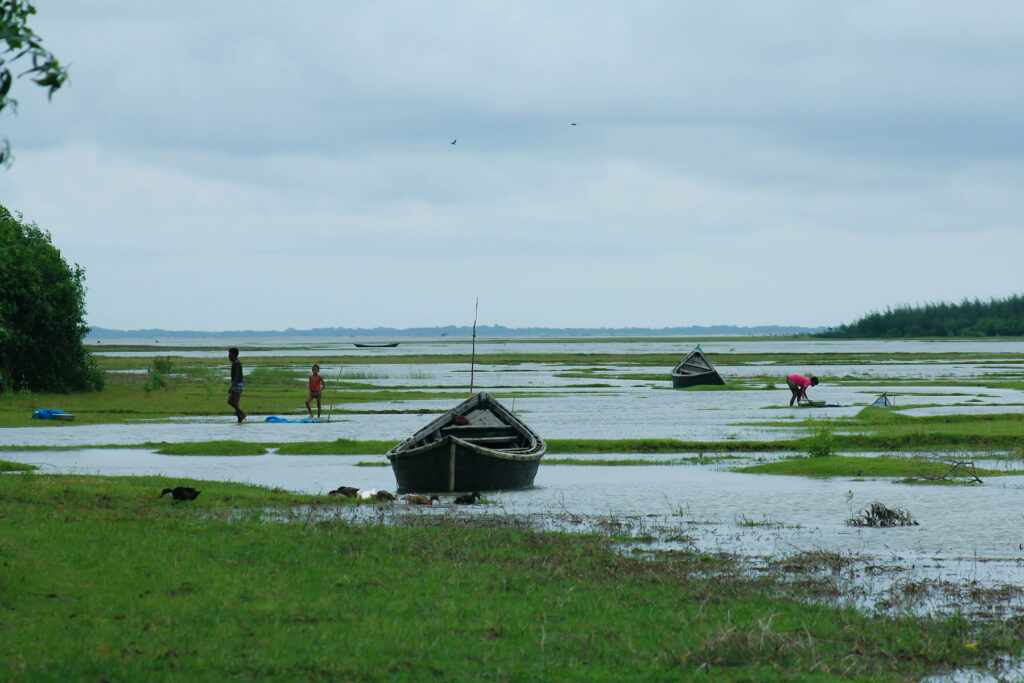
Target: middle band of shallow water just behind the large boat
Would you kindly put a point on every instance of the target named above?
(628, 410)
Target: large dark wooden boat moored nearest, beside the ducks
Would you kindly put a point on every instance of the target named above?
(478, 446)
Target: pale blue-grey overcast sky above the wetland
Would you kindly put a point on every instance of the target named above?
(257, 165)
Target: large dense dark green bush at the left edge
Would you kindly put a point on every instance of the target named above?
(42, 315)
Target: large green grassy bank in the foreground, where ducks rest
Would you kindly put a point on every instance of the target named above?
(106, 581)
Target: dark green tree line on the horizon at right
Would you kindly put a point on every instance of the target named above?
(996, 318)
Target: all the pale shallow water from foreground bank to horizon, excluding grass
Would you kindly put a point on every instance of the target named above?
(966, 534)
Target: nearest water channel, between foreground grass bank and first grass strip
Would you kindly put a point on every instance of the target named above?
(966, 534)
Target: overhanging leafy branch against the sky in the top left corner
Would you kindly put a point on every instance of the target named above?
(19, 42)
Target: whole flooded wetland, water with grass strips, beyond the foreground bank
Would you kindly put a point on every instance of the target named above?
(655, 467)
